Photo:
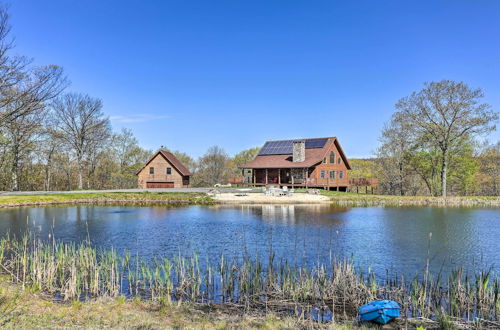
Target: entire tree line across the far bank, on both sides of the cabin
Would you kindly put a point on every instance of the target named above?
(54, 140)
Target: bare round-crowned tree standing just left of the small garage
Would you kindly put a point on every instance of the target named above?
(82, 125)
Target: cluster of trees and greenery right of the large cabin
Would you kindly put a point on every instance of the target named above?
(431, 145)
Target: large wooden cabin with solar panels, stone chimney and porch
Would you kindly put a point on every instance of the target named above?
(308, 163)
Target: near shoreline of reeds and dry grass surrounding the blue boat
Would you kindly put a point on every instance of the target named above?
(151, 299)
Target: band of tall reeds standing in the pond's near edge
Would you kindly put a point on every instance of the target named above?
(78, 271)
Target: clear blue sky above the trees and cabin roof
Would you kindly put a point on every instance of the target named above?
(191, 74)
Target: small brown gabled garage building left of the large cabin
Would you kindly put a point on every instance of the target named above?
(163, 170)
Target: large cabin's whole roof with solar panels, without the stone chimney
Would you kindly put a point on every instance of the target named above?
(278, 154)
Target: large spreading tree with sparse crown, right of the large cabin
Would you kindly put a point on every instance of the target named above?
(445, 113)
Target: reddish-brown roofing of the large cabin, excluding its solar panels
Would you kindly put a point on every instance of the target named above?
(313, 156)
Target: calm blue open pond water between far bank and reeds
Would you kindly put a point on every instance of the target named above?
(379, 238)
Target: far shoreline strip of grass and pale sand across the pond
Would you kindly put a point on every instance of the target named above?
(202, 198)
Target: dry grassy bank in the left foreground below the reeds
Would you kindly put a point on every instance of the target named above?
(21, 309)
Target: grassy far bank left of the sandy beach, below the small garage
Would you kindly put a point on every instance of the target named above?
(119, 197)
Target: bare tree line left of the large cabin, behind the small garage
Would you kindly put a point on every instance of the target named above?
(54, 140)
